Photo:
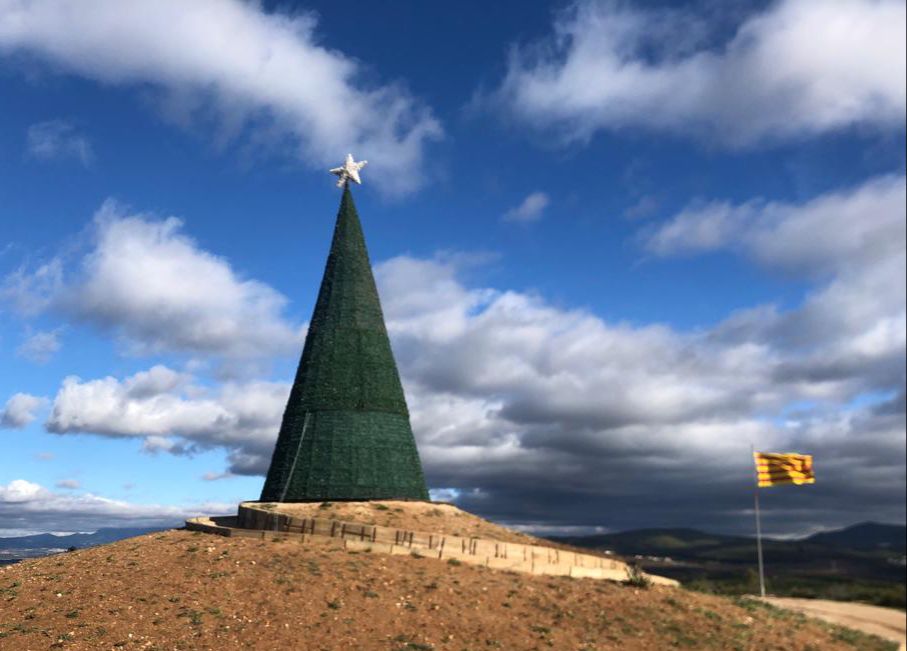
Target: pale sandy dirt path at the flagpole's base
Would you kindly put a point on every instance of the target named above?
(884, 622)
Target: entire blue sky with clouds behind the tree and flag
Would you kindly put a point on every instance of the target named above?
(616, 245)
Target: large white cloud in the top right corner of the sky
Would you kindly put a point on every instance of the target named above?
(797, 68)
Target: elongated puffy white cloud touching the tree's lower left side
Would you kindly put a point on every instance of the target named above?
(173, 414)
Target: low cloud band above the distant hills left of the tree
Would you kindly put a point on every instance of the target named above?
(27, 505)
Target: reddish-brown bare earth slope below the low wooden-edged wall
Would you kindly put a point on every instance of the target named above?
(184, 590)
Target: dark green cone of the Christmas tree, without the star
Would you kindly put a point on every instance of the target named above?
(345, 433)
